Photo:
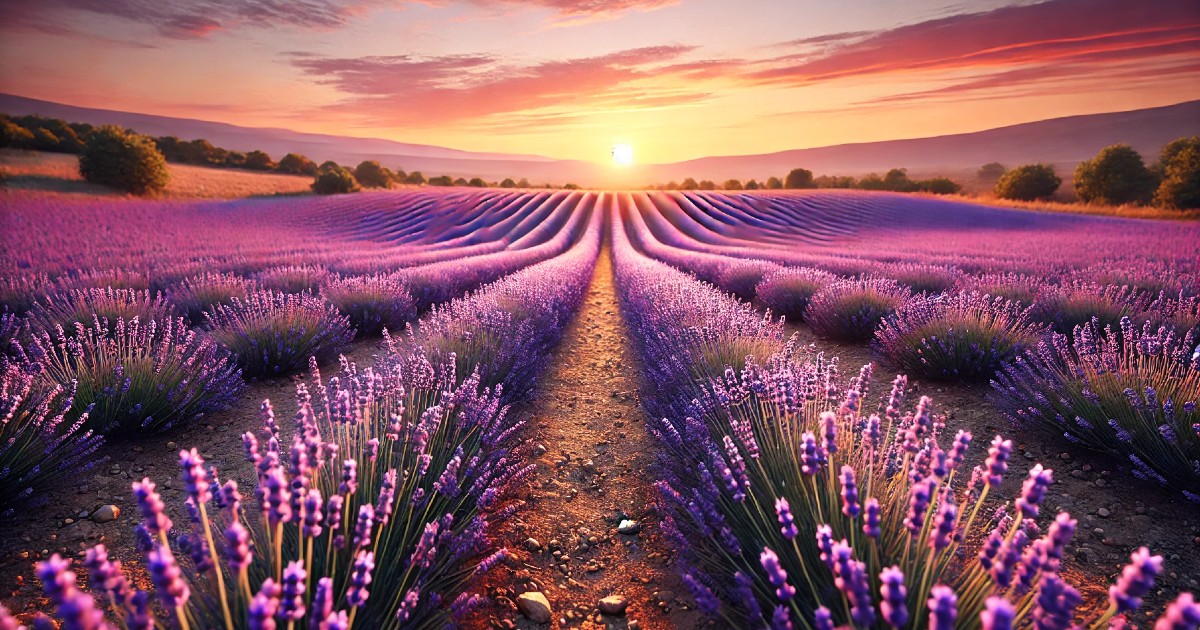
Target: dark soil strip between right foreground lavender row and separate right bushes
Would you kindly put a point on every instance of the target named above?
(1135, 514)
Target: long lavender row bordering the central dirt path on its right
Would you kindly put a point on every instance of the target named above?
(795, 501)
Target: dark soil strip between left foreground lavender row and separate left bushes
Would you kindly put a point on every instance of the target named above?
(59, 524)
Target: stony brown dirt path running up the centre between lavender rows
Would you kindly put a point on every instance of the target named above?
(592, 459)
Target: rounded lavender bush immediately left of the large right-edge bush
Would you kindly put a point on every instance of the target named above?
(963, 335)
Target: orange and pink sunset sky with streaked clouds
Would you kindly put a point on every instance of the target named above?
(674, 80)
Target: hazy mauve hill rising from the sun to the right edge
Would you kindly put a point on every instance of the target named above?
(1063, 141)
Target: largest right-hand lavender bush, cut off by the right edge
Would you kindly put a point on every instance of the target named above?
(1130, 392)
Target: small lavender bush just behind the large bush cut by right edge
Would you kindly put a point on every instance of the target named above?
(1077, 304)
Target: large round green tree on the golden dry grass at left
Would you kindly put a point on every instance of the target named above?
(116, 158)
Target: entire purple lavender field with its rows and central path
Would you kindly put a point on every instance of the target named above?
(497, 409)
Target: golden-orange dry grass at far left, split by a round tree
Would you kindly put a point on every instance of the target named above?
(59, 173)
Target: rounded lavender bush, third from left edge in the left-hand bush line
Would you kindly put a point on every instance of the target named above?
(273, 334)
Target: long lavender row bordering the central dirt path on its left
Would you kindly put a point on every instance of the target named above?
(379, 514)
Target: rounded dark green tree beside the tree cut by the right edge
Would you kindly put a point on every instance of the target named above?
(1117, 176)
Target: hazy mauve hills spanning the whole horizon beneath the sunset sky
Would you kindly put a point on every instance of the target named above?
(1061, 141)
